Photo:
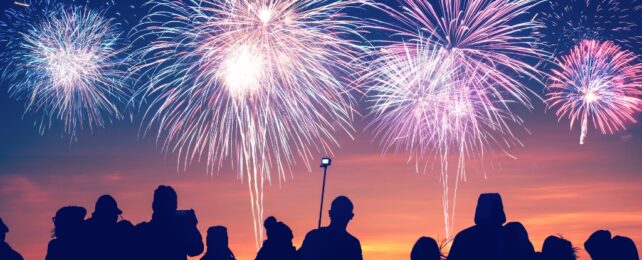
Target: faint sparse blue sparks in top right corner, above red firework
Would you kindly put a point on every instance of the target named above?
(565, 23)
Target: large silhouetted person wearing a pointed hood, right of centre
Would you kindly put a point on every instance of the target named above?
(485, 239)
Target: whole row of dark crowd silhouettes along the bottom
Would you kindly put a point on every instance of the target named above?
(172, 234)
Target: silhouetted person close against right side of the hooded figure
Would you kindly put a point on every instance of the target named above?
(517, 244)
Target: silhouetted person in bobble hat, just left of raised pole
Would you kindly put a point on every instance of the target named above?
(278, 244)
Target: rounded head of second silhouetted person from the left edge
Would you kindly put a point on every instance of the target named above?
(68, 221)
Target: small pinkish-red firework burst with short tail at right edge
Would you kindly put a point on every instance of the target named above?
(597, 82)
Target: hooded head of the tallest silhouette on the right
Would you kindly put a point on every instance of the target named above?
(490, 210)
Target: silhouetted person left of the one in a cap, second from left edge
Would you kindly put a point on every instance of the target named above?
(68, 242)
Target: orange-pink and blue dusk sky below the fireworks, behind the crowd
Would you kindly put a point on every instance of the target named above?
(555, 186)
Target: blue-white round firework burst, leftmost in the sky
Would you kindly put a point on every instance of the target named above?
(65, 62)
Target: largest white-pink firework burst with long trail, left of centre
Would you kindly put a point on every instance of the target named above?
(253, 81)
